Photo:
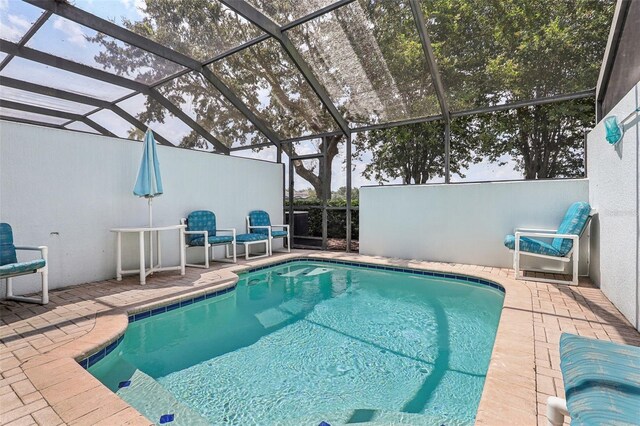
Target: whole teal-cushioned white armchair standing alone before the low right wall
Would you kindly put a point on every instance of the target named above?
(564, 246)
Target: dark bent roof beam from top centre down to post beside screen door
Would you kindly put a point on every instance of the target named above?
(267, 25)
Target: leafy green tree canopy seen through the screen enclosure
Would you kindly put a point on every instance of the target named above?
(368, 56)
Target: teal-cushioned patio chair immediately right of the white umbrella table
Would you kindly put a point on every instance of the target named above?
(202, 233)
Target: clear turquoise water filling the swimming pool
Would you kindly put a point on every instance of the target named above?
(307, 342)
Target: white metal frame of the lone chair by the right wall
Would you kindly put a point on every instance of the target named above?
(572, 256)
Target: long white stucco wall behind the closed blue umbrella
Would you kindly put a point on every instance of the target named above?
(66, 190)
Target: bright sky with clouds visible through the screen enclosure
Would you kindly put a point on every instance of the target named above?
(67, 39)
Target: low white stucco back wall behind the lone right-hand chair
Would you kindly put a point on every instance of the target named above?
(462, 223)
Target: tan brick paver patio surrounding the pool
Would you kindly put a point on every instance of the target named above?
(42, 384)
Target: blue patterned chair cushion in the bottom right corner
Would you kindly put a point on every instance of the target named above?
(601, 381)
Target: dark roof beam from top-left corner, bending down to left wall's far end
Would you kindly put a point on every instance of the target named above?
(109, 28)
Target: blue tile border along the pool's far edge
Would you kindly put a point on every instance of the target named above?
(415, 271)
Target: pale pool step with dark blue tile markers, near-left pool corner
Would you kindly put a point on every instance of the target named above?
(153, 401)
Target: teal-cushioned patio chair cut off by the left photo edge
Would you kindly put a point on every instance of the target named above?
(11, 268)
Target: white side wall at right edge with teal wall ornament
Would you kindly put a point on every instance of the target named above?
(614, 184)
